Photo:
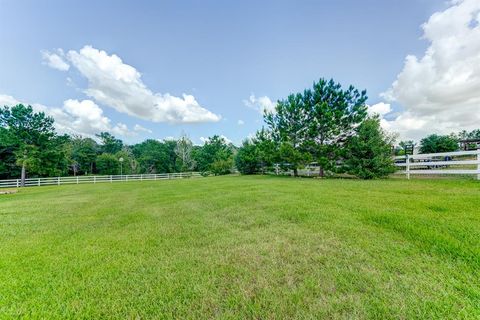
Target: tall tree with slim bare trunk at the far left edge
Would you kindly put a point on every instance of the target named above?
(32, 139)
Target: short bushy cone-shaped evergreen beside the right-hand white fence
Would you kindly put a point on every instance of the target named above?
(368, 153)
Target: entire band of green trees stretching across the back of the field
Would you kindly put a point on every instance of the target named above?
(326, 126)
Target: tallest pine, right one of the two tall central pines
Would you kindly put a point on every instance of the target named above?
(333, 114)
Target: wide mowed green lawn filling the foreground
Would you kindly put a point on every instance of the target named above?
(242, 247)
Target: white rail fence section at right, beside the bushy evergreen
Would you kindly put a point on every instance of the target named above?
(458, 162)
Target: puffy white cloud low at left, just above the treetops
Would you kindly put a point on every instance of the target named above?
(75, 117)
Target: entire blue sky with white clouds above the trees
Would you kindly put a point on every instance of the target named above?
(159, 69)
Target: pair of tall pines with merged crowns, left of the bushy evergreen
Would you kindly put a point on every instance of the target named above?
(315, 124)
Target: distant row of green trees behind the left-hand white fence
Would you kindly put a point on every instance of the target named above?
(31, 147)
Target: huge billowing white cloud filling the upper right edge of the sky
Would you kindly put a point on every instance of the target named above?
(440, 92)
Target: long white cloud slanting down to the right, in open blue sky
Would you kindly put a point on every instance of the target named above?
(119, 85)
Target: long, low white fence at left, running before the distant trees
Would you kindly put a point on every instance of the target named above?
(15, 183)
